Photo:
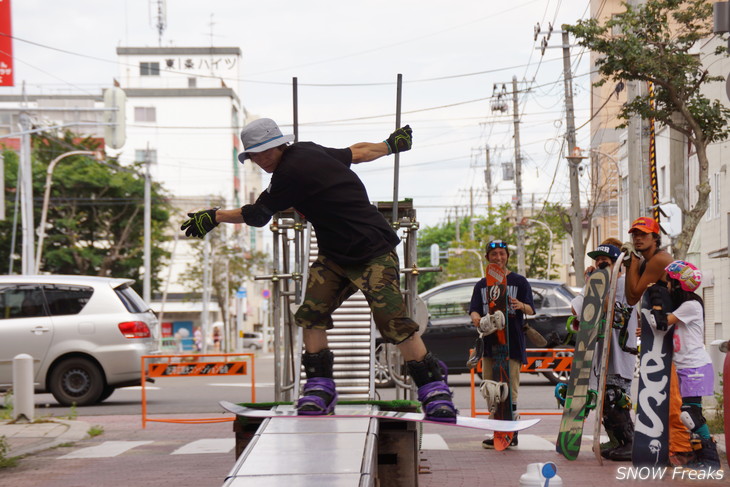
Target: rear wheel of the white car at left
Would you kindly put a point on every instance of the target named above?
(76, 381)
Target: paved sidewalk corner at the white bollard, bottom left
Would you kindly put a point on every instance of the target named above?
(28, 438)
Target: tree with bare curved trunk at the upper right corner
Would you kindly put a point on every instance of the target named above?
(657, 44)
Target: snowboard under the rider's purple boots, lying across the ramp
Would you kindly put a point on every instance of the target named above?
(368, 411)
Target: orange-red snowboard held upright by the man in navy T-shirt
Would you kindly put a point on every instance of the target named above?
(499, 302)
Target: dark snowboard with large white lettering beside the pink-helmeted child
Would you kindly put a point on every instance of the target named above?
(651, 431)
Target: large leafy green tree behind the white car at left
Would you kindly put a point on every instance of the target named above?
(95, 222)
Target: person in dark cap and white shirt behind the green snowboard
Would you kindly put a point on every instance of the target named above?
(617, 402)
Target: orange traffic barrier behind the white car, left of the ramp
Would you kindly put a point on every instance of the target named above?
(194, 369)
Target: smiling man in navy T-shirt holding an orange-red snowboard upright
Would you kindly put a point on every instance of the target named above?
(520, 304)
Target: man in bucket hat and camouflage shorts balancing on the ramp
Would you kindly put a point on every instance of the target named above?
(356, 251)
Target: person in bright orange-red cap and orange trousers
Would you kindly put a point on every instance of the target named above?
(645, 262)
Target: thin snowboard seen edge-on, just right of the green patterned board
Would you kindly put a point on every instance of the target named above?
(604, 354)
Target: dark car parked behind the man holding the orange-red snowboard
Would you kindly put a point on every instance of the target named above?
(450, 332)
